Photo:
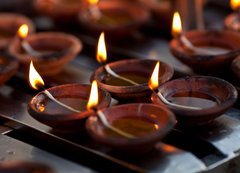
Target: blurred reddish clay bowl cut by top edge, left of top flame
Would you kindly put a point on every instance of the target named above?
(61, 10)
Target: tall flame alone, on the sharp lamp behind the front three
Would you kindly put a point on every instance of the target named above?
(101, 50)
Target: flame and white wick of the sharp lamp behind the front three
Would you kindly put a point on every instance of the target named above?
(102, 58)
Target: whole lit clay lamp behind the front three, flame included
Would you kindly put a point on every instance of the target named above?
(127, 83)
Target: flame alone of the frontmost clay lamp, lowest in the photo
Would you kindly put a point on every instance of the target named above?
(93, 97)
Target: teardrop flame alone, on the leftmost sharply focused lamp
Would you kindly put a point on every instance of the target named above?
(34, 78)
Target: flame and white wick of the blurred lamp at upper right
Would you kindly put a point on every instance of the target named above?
(177, 32)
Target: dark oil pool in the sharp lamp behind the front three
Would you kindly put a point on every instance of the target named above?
(136, 77)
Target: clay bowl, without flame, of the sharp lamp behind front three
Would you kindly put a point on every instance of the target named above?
(137, 70)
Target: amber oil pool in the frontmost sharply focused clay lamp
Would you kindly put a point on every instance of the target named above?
(133, 125)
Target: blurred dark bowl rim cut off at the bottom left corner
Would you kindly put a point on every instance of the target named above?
(25, 167)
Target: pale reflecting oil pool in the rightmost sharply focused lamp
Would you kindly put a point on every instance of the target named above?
(194, 99)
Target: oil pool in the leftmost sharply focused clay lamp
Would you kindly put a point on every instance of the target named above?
(51, 107)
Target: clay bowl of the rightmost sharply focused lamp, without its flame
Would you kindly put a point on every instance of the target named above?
(213, 95)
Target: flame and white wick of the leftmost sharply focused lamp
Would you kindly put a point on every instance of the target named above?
(37, 83)
